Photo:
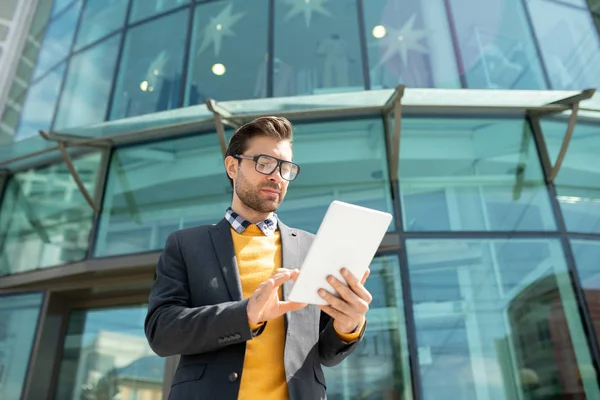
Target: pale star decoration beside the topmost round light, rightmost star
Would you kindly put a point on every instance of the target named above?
(402, 41)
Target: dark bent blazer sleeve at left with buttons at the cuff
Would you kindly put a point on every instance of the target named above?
(172, 327)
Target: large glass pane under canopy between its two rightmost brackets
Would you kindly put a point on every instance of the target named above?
(464, 174)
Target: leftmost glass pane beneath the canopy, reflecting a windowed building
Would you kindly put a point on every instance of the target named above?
(44, 218)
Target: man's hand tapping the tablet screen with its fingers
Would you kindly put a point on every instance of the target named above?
(265, 305)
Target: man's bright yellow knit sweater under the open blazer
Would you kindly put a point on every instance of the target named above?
(263, 377)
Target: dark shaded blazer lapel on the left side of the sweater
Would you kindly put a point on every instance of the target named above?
(223, 244)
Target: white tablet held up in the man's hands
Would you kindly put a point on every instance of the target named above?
(349, 236)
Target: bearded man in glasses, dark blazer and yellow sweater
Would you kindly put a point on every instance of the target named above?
(219, 295)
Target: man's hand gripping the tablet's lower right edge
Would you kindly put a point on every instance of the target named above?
(348, 311)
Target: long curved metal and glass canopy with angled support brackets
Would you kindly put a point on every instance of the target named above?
(215, 116)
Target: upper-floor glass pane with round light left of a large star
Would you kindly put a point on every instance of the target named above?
(409, 42)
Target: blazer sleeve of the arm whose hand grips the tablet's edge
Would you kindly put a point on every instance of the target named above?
(332, 349)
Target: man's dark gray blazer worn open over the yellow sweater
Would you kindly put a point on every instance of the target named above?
(196, 310)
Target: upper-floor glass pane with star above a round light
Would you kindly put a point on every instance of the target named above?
(225, 33)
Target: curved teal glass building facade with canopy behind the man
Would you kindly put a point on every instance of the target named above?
(474, 122)
